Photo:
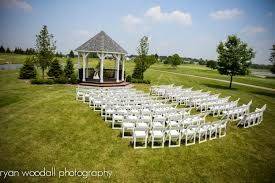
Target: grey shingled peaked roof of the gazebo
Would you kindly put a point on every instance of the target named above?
(101, 42)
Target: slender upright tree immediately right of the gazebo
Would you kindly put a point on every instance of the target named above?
(143, 62)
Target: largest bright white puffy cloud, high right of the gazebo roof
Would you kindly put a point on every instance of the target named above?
(156, 14)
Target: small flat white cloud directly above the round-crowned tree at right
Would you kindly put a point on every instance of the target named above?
(226, 14)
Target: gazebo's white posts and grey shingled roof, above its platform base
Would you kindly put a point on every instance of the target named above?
(103, 46)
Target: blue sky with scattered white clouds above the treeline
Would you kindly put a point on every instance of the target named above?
(191, 28)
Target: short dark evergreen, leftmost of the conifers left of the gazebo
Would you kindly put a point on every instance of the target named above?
(28, 71)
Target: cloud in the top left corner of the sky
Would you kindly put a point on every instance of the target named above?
(21, 4)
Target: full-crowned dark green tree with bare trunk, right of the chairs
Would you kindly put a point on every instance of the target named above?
(234, 57)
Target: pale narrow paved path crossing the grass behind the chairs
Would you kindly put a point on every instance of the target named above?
(220, 80)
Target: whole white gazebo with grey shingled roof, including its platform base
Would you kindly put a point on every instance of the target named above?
(104, 47)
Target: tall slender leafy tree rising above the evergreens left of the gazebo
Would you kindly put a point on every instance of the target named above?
(45, 49)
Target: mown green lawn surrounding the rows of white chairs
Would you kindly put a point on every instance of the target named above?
(44, 126)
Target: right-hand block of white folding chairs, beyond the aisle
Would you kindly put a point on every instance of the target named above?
(212, 104)
